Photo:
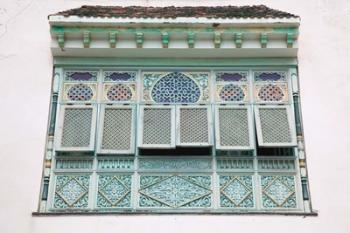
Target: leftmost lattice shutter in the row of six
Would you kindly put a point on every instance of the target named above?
(76, 130)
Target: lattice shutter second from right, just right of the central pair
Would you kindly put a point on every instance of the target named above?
(233, 128)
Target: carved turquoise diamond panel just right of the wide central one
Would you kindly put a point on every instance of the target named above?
(236, 192)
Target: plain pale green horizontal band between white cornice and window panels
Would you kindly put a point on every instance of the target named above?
(171, 62)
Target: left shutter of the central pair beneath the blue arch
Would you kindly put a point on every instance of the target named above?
(158, 127)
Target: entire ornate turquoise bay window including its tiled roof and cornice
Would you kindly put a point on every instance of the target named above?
(168, 119)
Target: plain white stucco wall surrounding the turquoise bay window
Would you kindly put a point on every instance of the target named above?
(25, 72)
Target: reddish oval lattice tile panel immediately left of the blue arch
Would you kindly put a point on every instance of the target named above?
(119, 92)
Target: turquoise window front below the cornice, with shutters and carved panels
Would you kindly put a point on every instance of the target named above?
(174, 144)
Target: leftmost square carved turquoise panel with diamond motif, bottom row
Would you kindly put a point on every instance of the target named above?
(71, 191)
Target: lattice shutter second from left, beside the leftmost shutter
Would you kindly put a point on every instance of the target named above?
(117, 131)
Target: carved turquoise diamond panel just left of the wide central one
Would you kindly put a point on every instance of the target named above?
(114, 191)
